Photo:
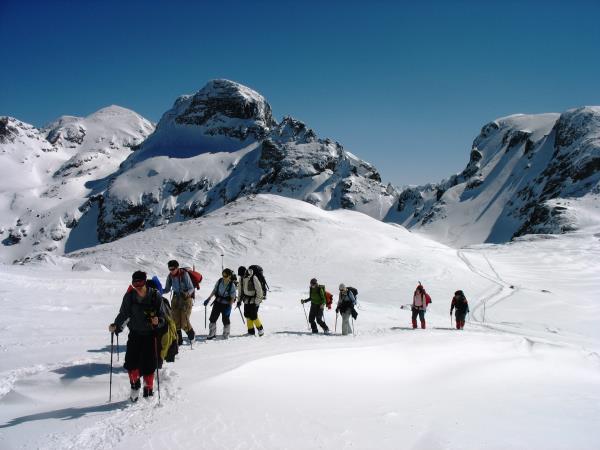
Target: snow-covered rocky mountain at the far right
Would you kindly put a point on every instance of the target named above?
(526, 174)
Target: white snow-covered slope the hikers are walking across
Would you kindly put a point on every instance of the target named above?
(523, 374)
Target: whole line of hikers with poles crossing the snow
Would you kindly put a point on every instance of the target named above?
(156, 326)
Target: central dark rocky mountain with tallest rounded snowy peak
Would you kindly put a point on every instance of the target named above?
(222, 144)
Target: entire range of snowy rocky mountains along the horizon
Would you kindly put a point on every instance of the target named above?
(82, 181)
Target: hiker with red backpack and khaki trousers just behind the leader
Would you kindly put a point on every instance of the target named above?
(181, 284)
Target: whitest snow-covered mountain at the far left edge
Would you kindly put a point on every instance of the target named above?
(48, 175)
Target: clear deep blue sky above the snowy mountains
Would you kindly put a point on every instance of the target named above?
(406, 87)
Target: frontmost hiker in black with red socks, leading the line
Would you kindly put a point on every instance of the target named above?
(142, 309)
